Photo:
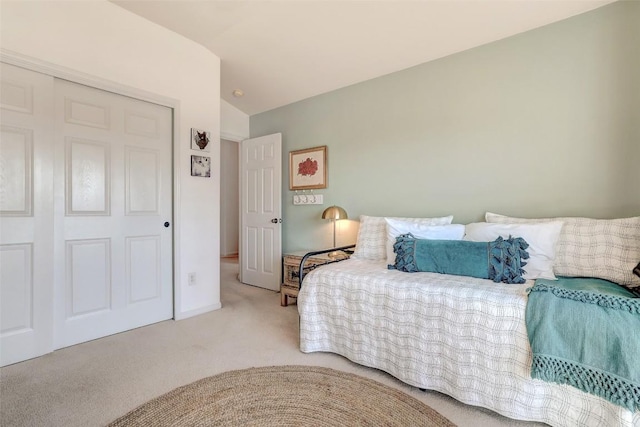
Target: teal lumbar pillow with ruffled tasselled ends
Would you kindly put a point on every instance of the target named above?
(501, 260)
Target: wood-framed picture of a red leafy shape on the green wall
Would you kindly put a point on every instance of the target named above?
(308, 168)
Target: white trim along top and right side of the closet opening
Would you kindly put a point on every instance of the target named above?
(43, 67)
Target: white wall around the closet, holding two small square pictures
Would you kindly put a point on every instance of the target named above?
(107, 42)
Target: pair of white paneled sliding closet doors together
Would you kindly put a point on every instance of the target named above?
(85, 214)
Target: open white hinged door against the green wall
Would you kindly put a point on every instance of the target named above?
(261, 211)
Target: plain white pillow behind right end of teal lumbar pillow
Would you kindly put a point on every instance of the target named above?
(542, 240)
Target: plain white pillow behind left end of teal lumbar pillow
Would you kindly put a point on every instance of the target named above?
(396, 227)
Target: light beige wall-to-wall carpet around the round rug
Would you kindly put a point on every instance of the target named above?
(94, 383)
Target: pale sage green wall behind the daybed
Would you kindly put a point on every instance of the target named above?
(546, 122)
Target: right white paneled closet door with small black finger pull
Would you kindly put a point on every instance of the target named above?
(113, 209)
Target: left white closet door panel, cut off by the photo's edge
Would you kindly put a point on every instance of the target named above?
(26, 214)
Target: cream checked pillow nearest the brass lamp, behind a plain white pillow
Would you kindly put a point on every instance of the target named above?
(372, 235)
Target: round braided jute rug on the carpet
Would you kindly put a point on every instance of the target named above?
(284, 396)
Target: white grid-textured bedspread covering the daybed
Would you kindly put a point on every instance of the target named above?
(462, 336)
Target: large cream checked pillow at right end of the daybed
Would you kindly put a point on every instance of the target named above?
(603, 248)
